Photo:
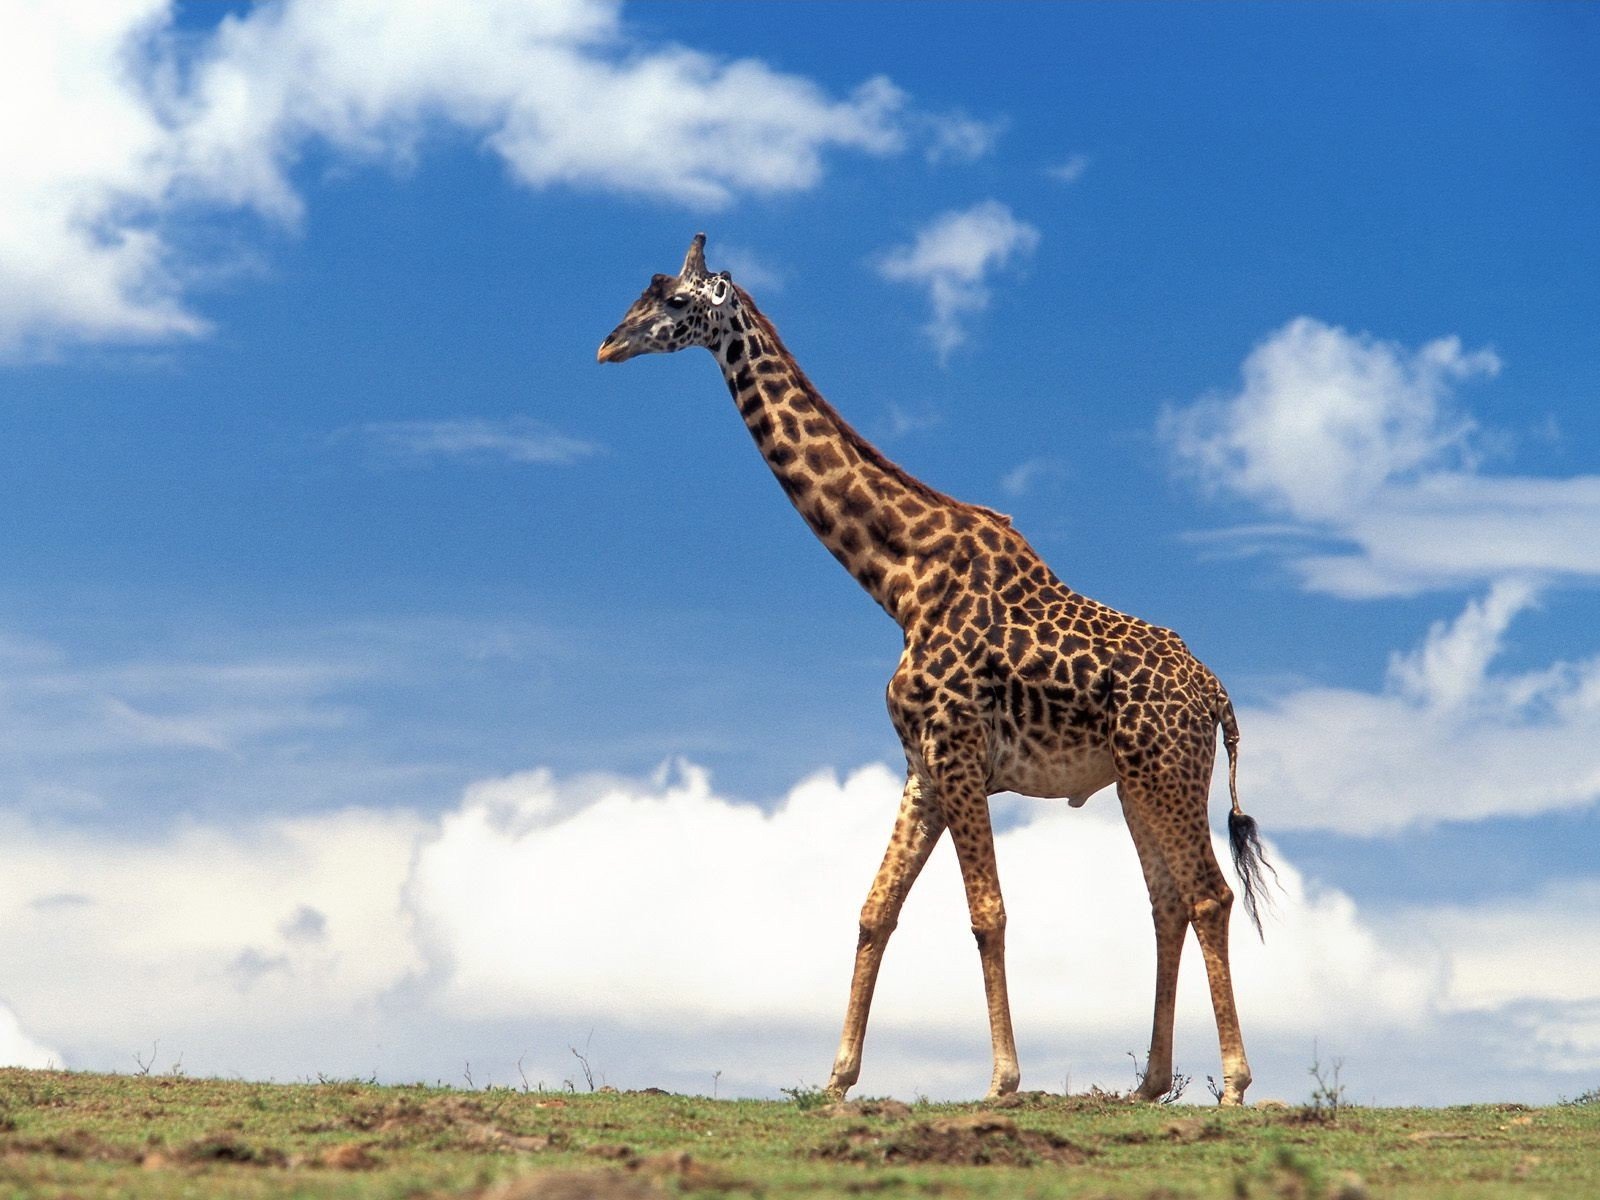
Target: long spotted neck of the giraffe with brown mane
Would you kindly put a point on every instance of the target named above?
(876, 518)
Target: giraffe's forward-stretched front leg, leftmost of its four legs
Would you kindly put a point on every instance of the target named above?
(918, 830)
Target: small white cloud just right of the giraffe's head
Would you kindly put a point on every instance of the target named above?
(953, 258)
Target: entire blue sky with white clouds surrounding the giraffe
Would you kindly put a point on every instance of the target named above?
(1270, 324)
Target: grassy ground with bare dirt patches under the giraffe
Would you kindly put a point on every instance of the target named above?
(70, 1135)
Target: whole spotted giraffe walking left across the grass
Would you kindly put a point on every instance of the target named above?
(1009, 681)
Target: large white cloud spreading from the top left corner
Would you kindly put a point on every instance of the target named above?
(134, 129)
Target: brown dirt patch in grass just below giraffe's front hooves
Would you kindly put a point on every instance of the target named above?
(980, 1140)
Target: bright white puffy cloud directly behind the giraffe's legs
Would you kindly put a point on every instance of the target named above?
(756, 913)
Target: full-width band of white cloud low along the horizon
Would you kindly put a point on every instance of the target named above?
(695, 934)
